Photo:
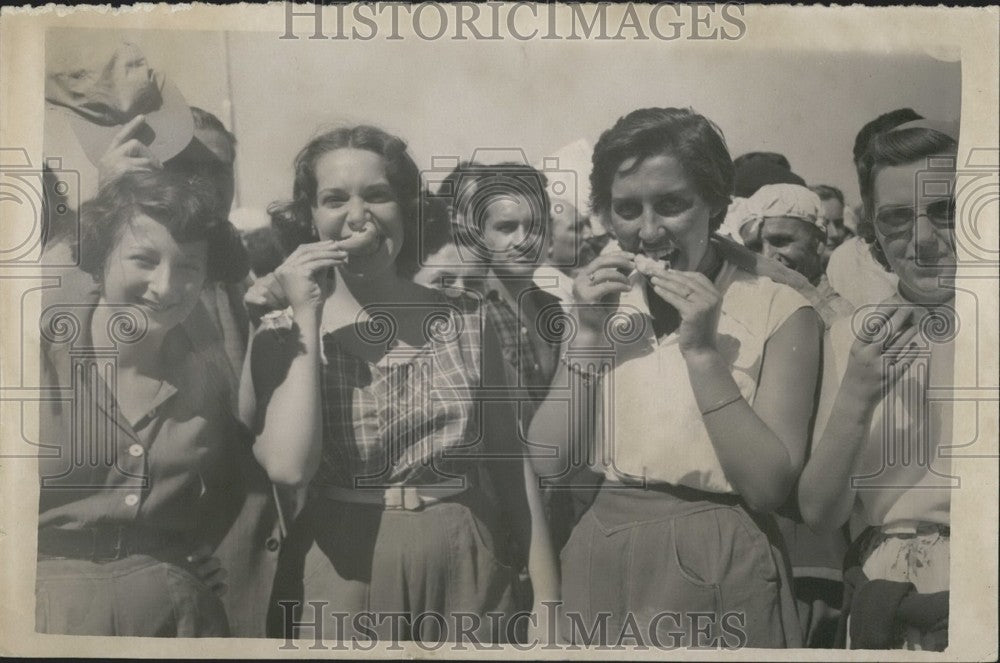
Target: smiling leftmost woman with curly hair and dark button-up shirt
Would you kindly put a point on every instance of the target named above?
(135, 470)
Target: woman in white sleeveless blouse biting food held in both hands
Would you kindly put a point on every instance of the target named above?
(703, 404)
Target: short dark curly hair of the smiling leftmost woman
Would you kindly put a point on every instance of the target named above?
(187, 206)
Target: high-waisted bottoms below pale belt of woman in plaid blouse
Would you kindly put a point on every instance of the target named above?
(437, 574)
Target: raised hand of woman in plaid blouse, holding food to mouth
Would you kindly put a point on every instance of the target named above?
(304, 276)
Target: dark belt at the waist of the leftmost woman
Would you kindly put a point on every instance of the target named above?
(105, 544)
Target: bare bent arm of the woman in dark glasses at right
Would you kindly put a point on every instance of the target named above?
(847, 406)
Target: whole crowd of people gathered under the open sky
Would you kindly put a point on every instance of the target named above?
(484, 400)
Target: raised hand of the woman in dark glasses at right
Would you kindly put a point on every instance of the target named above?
(885, 341)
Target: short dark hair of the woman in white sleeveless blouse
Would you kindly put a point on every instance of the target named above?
(688, 137)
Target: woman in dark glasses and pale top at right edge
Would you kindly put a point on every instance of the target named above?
(877, 444)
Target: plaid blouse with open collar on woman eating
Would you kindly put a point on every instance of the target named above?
(391, 422)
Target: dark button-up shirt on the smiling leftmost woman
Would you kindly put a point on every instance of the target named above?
(99, 468)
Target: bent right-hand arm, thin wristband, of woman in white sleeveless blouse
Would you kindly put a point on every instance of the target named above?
(761, 449)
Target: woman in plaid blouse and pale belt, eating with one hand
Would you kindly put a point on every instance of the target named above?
(417, 500)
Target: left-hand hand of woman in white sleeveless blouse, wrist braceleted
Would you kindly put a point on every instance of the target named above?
(597, 289)
